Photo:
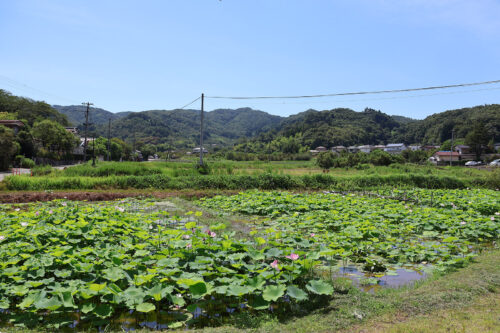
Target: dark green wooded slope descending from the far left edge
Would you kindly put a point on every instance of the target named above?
(28, 110)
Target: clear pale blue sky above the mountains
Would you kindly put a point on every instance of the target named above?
(141, 55)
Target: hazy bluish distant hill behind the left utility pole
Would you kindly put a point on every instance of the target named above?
(76, 114)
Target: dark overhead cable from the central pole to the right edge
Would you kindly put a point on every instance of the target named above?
(358, 93)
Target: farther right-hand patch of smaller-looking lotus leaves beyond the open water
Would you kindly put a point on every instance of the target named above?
(378, 234)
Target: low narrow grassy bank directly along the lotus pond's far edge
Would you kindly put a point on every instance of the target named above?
(266, 181)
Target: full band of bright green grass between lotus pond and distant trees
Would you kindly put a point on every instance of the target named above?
(227, 175)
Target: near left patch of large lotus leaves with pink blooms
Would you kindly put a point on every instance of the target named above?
(105, 260)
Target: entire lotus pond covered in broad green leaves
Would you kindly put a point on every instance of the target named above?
(128, 262)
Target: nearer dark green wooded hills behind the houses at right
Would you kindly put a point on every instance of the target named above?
(345, 127)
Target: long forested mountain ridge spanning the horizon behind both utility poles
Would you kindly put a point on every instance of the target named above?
(326, 128)
